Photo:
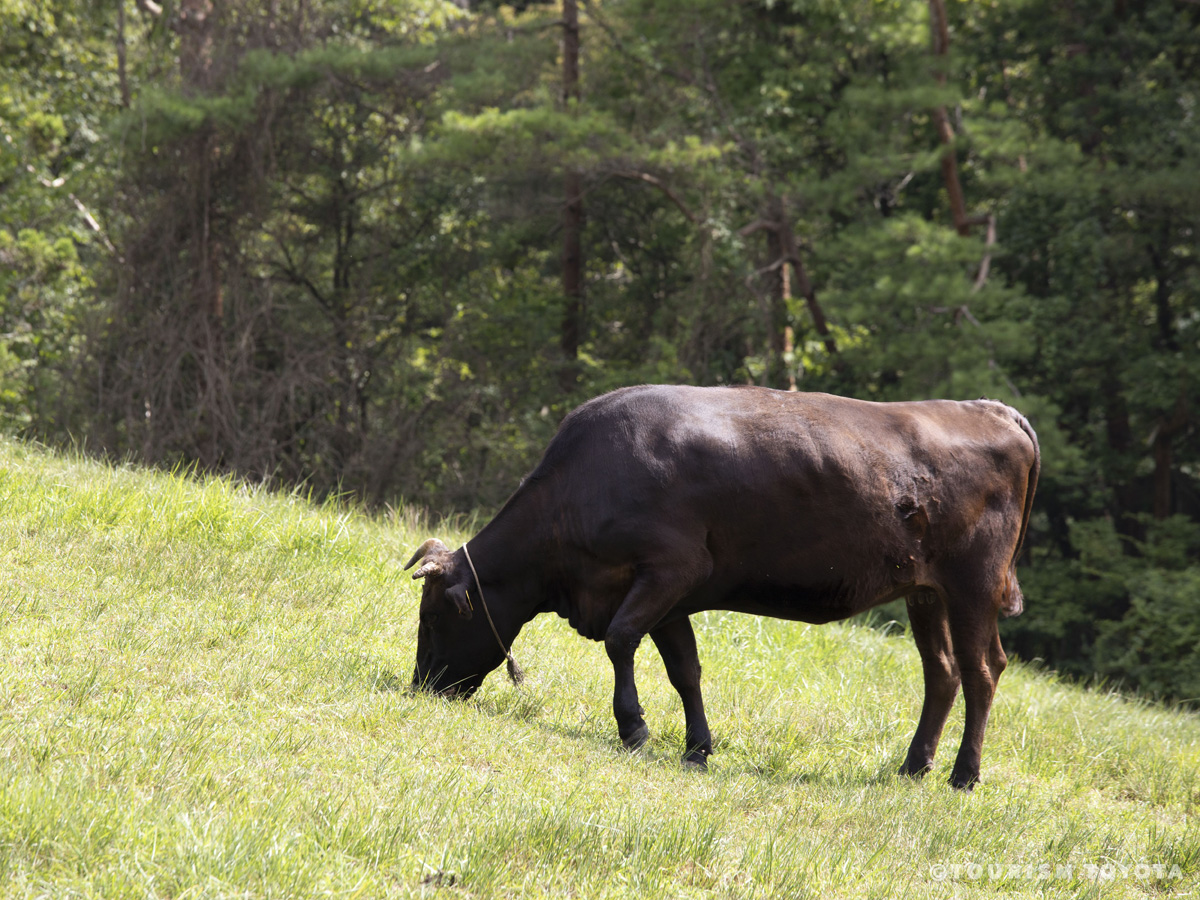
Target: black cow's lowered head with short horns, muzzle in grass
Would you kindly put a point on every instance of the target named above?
(455, 646)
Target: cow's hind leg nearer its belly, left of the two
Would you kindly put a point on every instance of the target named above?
(932, 633)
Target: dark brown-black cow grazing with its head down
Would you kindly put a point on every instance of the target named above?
(658, 502)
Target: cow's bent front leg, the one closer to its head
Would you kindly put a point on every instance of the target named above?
(658, 587)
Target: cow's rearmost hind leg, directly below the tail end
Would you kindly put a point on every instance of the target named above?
(981, 659)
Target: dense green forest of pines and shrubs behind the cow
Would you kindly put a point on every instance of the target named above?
(382, 247)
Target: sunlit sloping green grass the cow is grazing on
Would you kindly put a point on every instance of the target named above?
(203, 695)
